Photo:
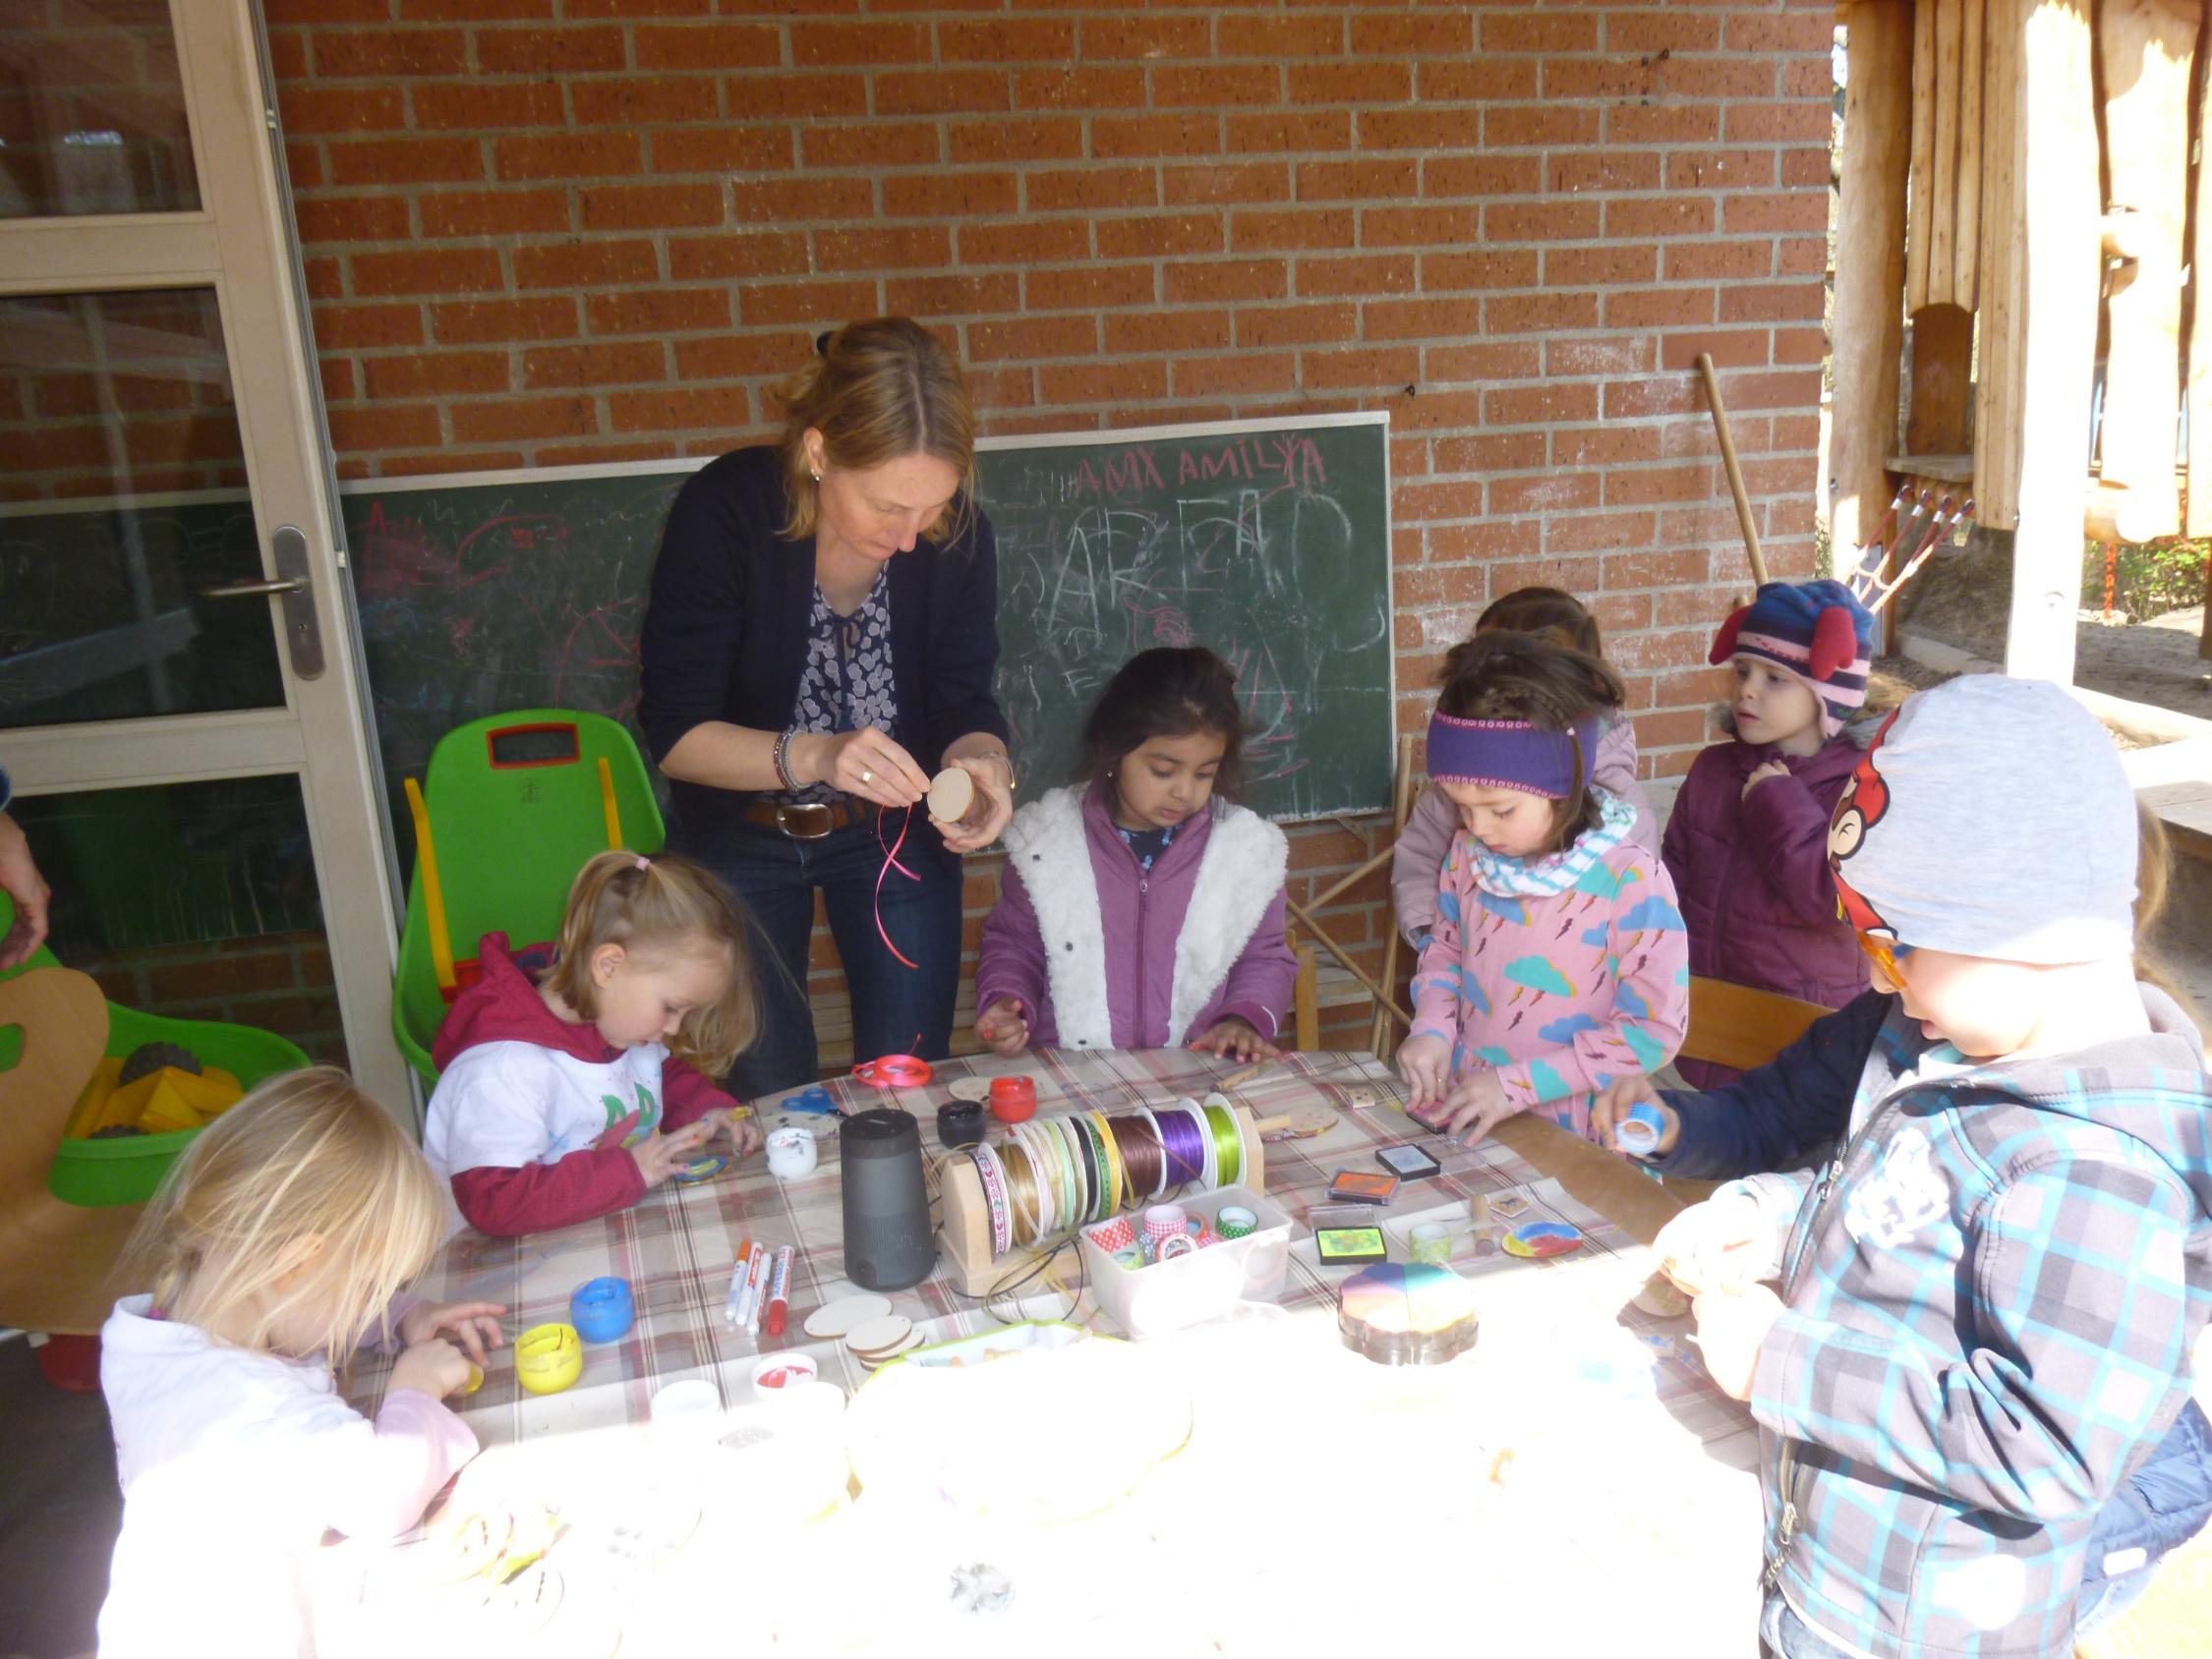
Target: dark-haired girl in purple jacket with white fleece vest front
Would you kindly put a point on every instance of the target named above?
(1140, 908)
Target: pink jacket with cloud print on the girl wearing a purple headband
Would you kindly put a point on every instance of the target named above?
(1558, 992)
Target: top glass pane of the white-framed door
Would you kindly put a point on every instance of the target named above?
(92, 112)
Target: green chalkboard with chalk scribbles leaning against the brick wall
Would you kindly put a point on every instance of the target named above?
(1264, 541)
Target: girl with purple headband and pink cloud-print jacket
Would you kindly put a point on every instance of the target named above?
(1558, 959)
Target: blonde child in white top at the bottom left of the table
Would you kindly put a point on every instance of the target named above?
(280, 1240)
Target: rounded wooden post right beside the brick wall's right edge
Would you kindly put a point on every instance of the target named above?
(1870, 267)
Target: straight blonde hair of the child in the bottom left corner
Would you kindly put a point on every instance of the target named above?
(304, 1200)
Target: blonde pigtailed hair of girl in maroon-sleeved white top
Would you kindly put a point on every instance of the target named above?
(656, 908)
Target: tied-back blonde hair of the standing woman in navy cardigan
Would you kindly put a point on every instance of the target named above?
(877, 393)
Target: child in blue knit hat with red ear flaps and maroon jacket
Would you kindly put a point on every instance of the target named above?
(1749, 839)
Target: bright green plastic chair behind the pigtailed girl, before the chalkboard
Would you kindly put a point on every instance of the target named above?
(514, 811)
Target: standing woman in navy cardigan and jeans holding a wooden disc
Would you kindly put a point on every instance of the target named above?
(822, 638)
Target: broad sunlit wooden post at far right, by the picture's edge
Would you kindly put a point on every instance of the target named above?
(2147, 50)
